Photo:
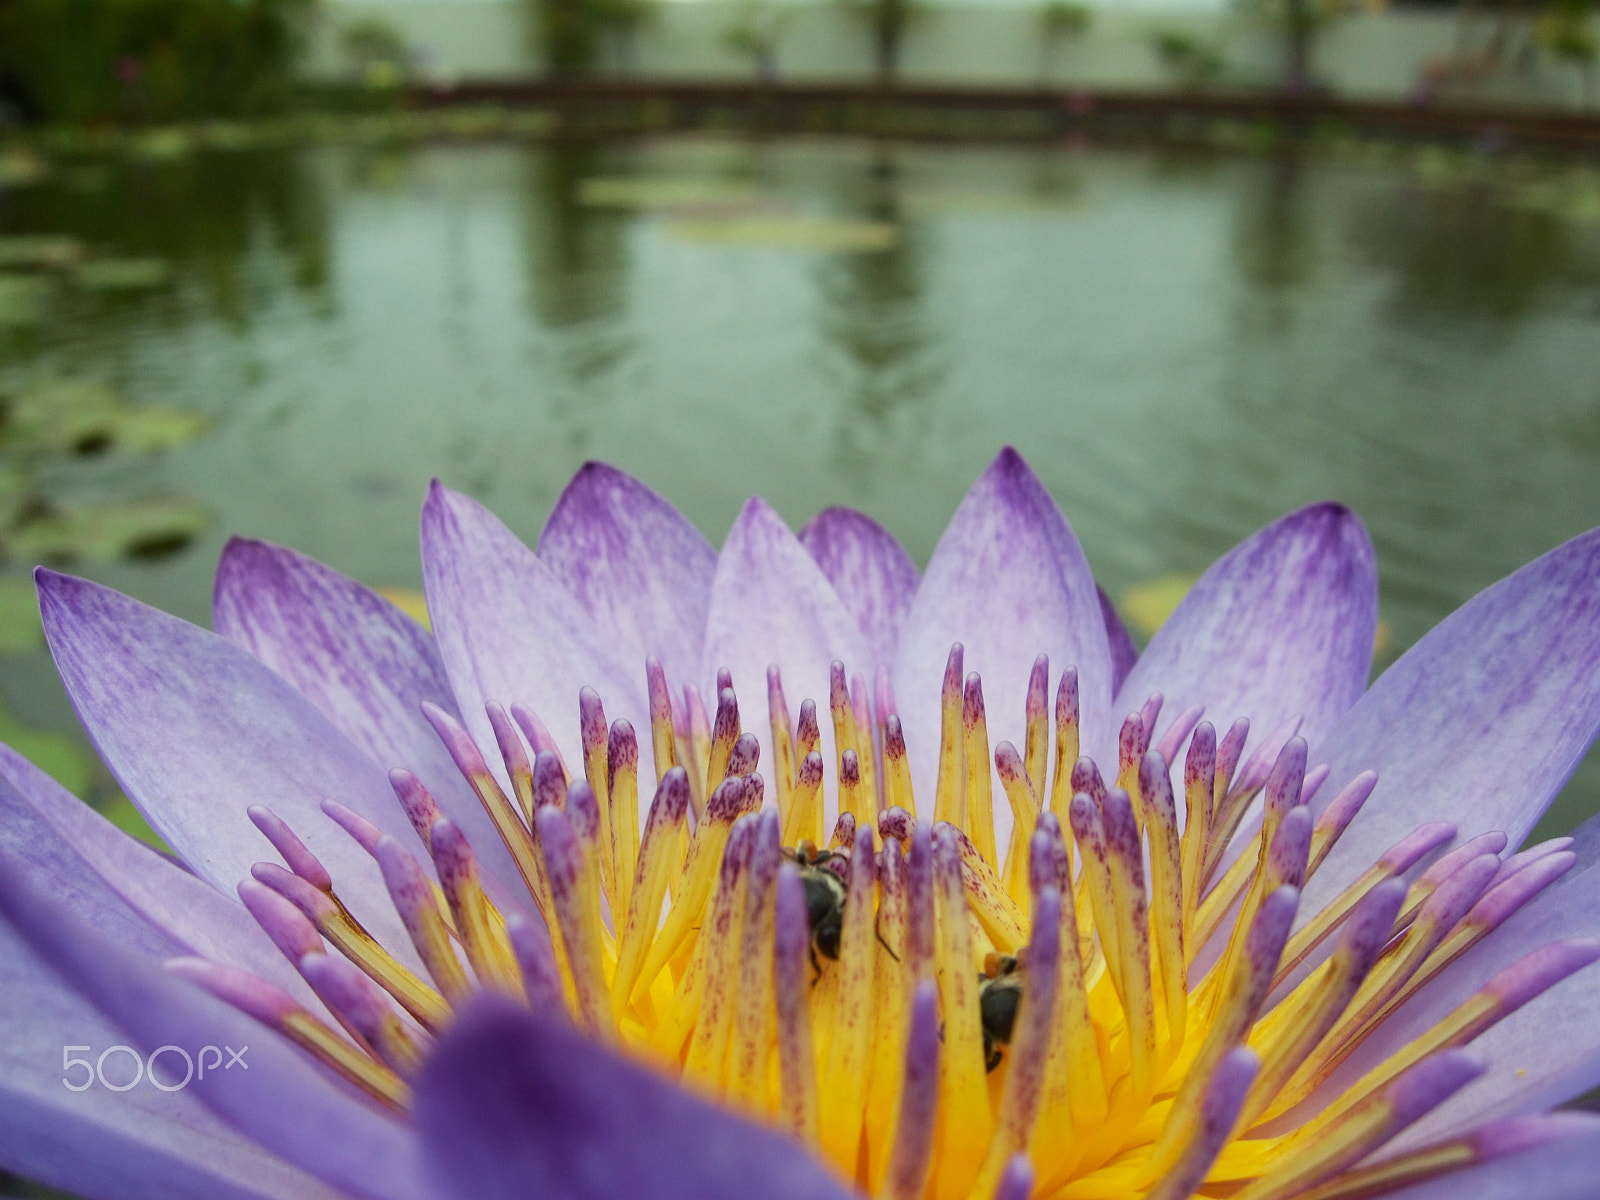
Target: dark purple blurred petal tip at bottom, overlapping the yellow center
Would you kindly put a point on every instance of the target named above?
(511, 1108)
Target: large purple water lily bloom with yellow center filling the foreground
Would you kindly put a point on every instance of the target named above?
(788, 871)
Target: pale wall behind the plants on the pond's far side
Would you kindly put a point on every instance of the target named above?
(966, 42)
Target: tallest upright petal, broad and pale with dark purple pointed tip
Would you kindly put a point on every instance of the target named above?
(1009, 582)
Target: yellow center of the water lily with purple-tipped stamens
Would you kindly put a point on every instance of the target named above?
(1119, 993)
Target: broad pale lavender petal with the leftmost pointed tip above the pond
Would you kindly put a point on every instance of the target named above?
(196, 732)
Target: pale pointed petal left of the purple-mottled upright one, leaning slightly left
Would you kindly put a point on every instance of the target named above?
(511, 633)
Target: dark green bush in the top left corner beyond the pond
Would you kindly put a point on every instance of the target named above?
(148, 60)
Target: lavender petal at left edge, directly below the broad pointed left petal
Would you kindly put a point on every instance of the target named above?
(90, 866)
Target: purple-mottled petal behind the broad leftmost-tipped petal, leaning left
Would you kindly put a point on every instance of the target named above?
(366, 665)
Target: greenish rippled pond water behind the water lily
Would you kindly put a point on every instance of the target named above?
(1185, 345)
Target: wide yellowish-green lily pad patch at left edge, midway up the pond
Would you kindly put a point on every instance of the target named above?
(89, 418)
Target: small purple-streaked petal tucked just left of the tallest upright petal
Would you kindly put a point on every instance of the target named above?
(871, 574)
